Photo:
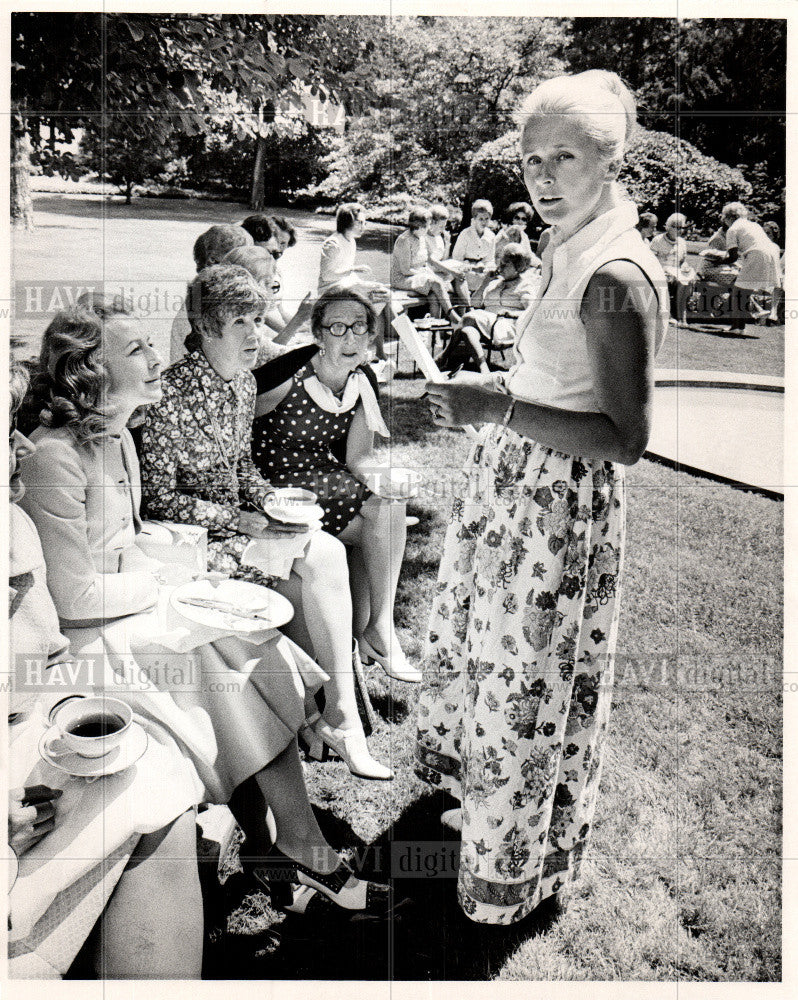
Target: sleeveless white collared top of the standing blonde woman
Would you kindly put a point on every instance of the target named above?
(552, 363)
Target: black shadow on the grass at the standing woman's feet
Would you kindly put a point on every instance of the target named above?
(428, 937)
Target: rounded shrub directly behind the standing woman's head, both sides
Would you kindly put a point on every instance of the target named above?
(661, 173)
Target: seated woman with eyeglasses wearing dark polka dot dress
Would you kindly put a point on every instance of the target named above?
(314, 428)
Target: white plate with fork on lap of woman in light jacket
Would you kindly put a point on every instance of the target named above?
(276, 609)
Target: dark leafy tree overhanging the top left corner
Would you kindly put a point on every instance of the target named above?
(163, 73)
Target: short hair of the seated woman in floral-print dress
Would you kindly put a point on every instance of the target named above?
(217, 294)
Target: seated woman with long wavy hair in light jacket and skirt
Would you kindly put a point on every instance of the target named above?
(238, 722)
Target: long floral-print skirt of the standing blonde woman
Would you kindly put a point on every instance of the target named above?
(519, 666)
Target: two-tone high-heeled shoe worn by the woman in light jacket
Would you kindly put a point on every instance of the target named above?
(279, 871)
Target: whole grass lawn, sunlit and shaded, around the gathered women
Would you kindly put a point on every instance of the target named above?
(683, 878)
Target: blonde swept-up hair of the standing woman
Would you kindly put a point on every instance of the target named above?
(601, 102)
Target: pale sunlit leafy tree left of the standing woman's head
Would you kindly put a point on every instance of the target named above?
(444, 85)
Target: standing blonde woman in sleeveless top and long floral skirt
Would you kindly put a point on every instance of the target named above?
(519, 665)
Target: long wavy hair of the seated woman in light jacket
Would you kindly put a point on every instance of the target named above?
(71, 382)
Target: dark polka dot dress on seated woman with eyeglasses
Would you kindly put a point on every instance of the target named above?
(299, 444)
